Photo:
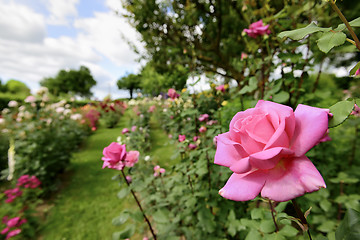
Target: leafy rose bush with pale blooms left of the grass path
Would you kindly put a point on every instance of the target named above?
(45, 135)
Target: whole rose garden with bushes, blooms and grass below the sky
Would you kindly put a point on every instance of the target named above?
(270, 150)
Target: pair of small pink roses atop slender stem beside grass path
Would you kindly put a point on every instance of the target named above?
(116, 157)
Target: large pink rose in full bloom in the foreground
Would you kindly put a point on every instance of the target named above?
(265, 148)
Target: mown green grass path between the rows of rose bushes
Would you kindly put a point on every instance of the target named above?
(85, 208)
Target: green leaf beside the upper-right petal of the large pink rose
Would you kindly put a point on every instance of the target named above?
(341, 111)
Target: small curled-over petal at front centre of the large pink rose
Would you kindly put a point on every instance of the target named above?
(269, 158)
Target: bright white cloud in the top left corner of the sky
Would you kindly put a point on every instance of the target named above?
(20, 23)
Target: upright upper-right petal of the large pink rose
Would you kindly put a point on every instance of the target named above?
(311, 126)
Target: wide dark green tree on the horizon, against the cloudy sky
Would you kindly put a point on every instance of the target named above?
(76, 82)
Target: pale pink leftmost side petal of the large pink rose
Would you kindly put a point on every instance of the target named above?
(228, 152)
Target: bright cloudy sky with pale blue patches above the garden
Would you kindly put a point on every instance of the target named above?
(40, 37)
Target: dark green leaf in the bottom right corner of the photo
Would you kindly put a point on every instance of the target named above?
(350, 226)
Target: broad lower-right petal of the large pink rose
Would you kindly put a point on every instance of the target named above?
(292, 178)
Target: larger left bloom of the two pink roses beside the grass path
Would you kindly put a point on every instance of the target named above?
(114, 156)
